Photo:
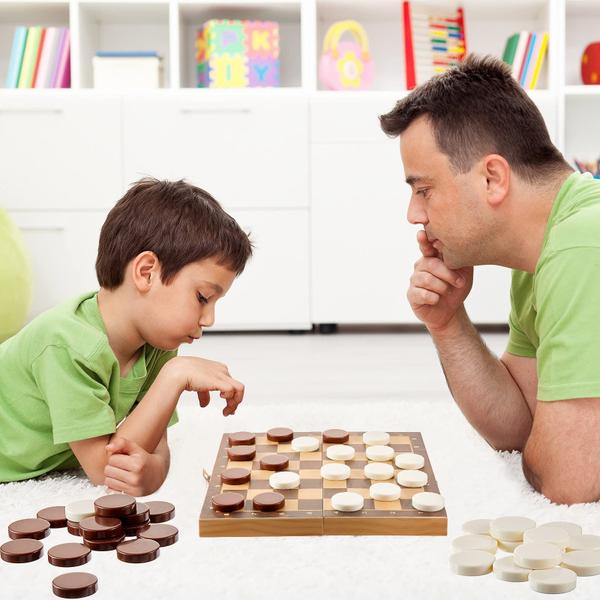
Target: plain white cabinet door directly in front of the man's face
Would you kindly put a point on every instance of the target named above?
(363, 248)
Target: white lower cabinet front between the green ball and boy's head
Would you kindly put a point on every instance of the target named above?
(63, 248)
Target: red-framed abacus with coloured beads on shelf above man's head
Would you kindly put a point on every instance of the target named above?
(434, 41)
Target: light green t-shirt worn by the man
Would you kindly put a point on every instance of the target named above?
(555, 311)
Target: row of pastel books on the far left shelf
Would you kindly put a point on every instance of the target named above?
(40, 58)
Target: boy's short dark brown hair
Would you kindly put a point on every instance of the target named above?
(177, 221)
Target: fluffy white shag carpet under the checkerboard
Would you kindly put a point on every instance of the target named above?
(476, 482)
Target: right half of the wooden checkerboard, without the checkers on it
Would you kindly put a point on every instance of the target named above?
(382, 518)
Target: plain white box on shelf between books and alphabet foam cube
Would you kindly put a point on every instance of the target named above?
(127, 72)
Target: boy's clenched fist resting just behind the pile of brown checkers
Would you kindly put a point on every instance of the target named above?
(131, 469)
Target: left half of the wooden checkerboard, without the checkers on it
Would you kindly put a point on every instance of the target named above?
(302, 513)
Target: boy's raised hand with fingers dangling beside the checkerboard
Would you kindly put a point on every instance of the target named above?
(203, 376)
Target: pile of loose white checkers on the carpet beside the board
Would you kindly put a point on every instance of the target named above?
(549, 556)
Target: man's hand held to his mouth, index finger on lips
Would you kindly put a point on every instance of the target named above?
(436, 292)
